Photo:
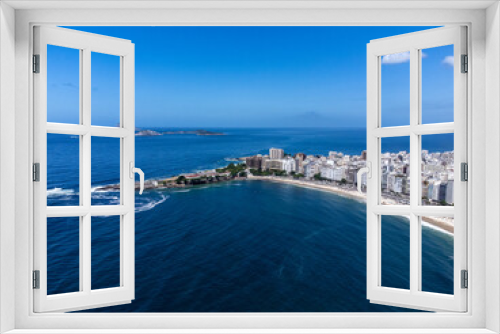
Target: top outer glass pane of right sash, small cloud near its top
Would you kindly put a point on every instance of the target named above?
(437, 84)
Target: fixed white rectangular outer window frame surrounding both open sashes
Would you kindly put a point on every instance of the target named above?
(483, 245)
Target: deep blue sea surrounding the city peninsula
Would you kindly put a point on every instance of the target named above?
(239, 246)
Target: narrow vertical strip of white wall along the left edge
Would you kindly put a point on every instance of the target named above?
(7, 161)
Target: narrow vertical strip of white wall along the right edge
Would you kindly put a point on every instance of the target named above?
(492, 162)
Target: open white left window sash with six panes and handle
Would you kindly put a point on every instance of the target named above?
(86, 44)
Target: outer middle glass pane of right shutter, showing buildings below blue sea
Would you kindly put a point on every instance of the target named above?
(438, 169)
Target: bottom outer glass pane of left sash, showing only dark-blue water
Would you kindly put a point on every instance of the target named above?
(63, 255)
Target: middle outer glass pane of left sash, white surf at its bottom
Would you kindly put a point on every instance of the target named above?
(63, 170)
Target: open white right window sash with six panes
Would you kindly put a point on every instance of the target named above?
(414, 43)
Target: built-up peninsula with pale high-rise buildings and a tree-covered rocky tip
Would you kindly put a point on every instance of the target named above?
(335, 173)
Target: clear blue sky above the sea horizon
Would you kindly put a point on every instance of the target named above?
(250, 77)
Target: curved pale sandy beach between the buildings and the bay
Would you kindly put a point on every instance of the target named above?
(444, 224)
